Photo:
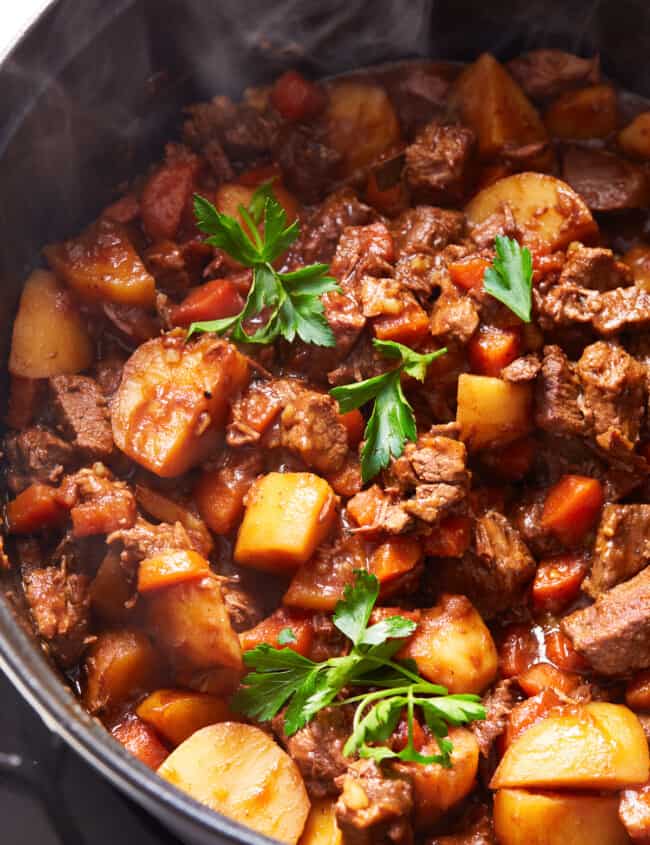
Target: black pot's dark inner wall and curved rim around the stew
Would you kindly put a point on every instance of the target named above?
(88, 95)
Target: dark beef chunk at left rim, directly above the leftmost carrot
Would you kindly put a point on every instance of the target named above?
(36, 455)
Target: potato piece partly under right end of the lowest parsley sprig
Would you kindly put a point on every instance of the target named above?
(437, 789)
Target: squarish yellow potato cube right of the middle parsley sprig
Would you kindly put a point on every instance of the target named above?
(491, 411)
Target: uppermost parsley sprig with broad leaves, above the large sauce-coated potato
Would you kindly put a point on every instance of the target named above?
(289, 303)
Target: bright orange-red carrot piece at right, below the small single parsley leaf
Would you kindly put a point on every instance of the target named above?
(572, 507)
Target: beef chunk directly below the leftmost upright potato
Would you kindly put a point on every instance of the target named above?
(82, 415)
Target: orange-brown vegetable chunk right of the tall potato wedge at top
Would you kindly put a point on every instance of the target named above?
(585, 113)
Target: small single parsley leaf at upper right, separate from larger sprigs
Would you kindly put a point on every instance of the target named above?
(510, 278)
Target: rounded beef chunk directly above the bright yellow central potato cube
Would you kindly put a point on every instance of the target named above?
(310, 426)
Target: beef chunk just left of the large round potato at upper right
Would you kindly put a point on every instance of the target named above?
(427, 229)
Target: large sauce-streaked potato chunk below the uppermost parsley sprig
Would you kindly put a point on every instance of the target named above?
(169, 411)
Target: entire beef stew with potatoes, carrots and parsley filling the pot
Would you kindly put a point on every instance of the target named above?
(327, 458)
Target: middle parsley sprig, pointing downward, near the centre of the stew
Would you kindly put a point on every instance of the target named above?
(392, 421)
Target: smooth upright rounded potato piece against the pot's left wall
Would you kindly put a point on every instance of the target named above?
(49, 335)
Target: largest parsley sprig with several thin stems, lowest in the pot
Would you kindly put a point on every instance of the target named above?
(282, 677)
